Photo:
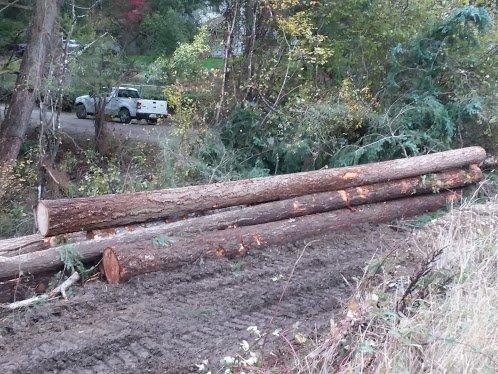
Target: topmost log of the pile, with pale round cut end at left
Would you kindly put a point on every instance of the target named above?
(69, 215)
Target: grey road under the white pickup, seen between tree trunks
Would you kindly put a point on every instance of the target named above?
(83, 129)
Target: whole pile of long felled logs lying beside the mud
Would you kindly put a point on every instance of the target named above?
(143, 232)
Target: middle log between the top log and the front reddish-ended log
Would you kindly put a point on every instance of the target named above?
(89, 250)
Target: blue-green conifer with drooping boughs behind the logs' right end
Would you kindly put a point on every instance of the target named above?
(428, 100)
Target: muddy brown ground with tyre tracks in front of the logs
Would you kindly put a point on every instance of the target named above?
(167, 322)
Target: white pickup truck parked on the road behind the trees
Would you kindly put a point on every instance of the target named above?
(125, 103)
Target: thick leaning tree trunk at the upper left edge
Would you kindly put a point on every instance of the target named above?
(16, 122)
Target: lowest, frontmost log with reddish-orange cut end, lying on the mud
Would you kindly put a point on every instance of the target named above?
(120, 263)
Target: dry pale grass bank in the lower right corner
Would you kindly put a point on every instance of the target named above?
(430, 308)
